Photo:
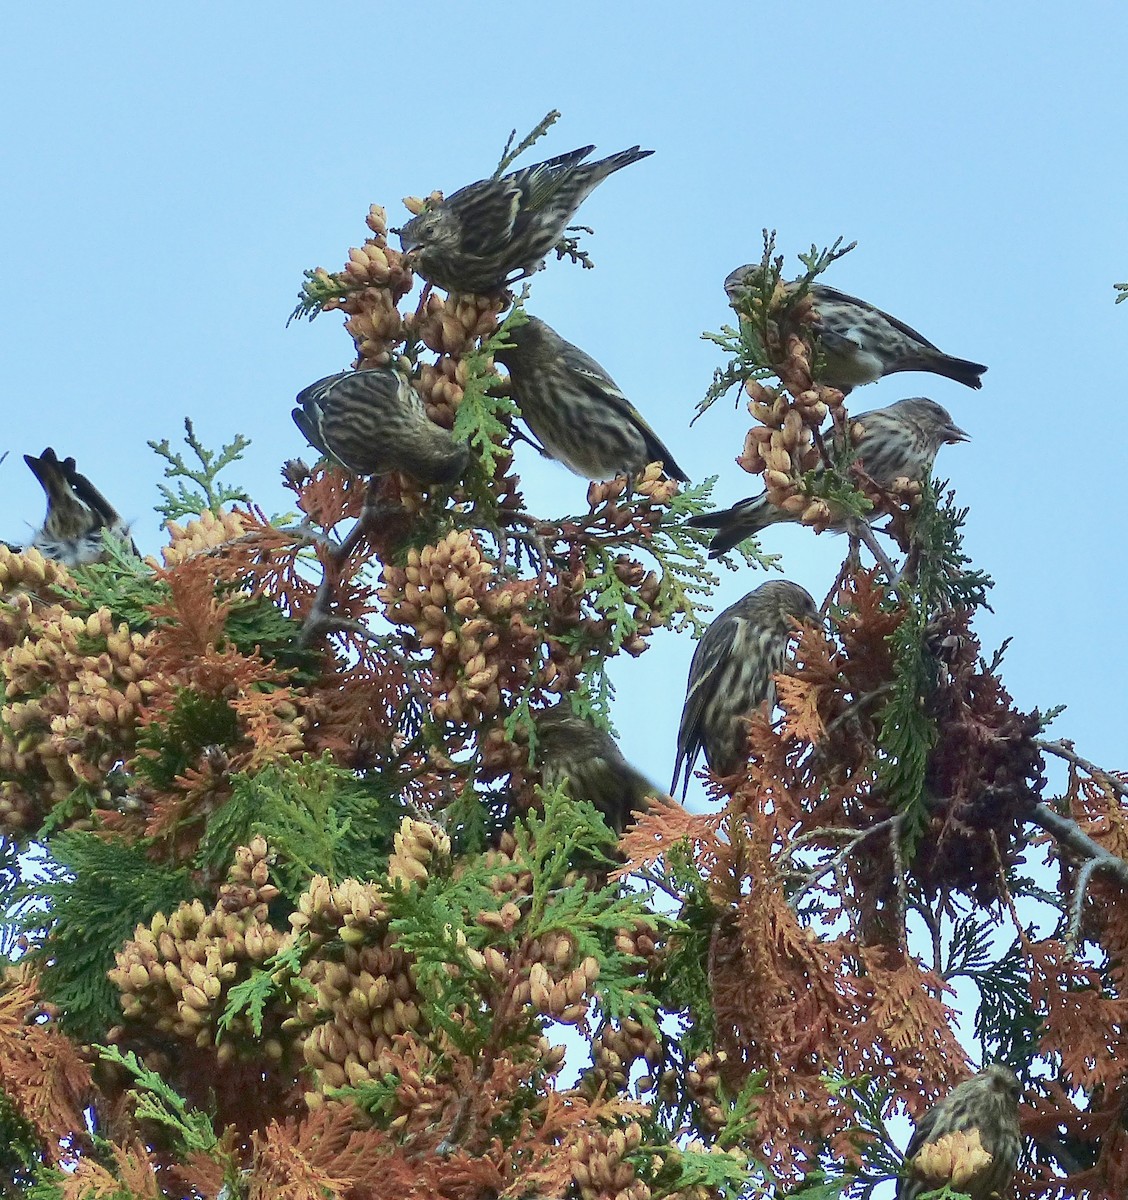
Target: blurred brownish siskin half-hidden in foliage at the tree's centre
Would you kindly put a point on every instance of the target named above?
(572, 749)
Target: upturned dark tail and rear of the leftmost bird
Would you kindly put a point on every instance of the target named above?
(77, 514)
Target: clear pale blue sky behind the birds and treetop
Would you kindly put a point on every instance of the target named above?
(171, 171)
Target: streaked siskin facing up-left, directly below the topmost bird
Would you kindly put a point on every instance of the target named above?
(577, 411)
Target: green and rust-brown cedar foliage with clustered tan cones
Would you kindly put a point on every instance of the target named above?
(308, 927)
